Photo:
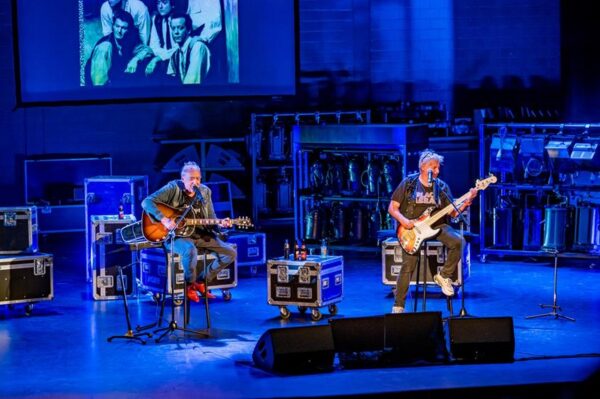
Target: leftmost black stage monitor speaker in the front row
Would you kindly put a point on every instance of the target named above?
(295, 350)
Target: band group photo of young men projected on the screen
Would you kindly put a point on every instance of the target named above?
(136, 43)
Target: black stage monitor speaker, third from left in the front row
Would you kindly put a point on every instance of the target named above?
(413, 337)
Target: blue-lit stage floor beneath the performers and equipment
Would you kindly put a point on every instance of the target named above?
(61, 349)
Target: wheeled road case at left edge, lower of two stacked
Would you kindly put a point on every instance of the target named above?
(26, 279)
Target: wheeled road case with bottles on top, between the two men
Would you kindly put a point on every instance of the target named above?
(312, 283)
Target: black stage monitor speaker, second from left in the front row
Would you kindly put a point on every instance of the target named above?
(358, 341)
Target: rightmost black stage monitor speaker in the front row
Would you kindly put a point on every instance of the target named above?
(483, 339)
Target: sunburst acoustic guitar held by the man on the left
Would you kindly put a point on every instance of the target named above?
(155, 231)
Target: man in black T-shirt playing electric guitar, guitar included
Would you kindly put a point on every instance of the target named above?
(413, 204)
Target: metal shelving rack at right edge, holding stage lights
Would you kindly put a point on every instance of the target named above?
(554, 130)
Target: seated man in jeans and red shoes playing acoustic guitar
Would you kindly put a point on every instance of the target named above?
(179, 194)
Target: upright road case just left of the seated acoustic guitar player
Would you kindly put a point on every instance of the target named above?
(107, 252)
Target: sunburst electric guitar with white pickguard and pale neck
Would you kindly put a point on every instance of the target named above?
(411, 239)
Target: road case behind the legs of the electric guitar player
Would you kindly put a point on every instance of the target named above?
(435, 253)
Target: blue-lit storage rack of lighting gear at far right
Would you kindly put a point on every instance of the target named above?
(580, 182)
